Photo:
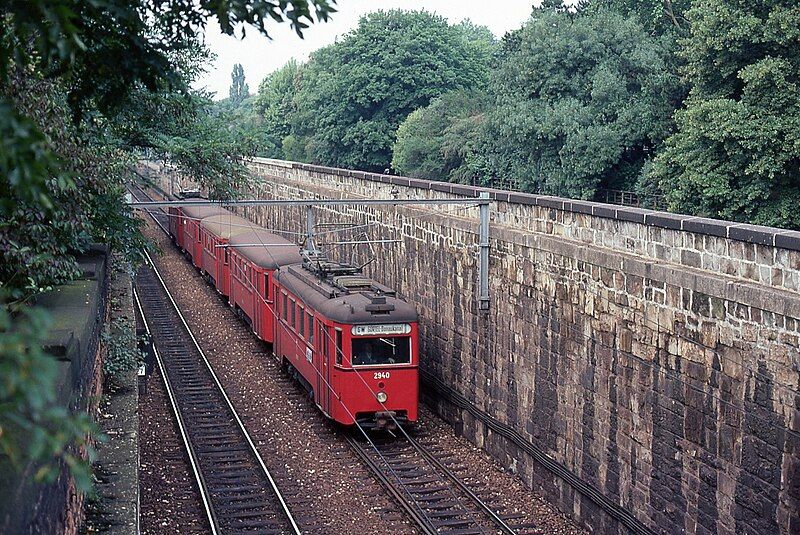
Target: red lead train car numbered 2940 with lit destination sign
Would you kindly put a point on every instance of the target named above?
(351, 341)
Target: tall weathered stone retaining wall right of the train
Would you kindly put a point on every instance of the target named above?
(649, 360)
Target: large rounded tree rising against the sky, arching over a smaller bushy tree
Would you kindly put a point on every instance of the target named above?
(355, 93)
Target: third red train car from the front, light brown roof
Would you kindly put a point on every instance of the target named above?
(216, 231)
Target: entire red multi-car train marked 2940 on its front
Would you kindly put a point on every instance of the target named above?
(351, 341)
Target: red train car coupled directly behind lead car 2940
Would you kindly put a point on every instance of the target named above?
(255, 255)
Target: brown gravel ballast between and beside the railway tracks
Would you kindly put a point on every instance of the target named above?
(322, 478)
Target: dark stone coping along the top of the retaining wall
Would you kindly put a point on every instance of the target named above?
(756, 234)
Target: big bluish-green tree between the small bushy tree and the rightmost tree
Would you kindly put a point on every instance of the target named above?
(580, 100)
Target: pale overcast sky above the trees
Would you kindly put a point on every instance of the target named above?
(259, 56)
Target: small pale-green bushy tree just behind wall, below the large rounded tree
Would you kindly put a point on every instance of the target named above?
(437, 142)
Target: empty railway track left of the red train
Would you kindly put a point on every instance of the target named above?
(238, 492)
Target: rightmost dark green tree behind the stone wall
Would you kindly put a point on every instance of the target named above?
(736, 152)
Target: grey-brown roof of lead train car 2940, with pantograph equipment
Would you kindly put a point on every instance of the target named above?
(352, 298)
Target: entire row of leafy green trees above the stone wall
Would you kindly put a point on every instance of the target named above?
(645, 95)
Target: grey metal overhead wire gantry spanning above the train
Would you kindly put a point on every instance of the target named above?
(482, 202)
